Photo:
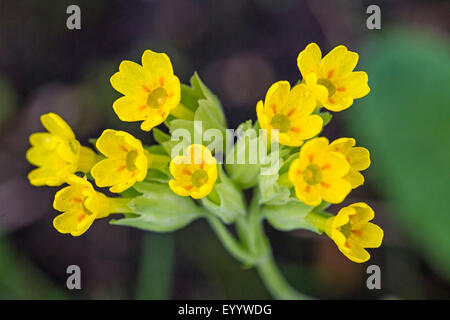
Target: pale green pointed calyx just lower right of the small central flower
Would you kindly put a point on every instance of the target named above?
(231, 201)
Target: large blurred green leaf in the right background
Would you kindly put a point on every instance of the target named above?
(404, 122)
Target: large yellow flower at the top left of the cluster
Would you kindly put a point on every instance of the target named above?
(150, 91)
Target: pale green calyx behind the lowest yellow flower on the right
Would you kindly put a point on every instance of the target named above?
(289, 216)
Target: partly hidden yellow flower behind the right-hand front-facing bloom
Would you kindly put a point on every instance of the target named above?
(357, 157)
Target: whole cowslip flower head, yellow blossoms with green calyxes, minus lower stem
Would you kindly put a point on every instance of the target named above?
(176, 181)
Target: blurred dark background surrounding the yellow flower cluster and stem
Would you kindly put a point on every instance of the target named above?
(239, 48)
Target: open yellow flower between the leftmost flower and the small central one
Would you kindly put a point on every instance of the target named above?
(125, 164)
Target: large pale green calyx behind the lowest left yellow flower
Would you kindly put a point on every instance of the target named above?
(159, 209)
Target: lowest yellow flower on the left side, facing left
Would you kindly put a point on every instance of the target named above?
(80, 205)
